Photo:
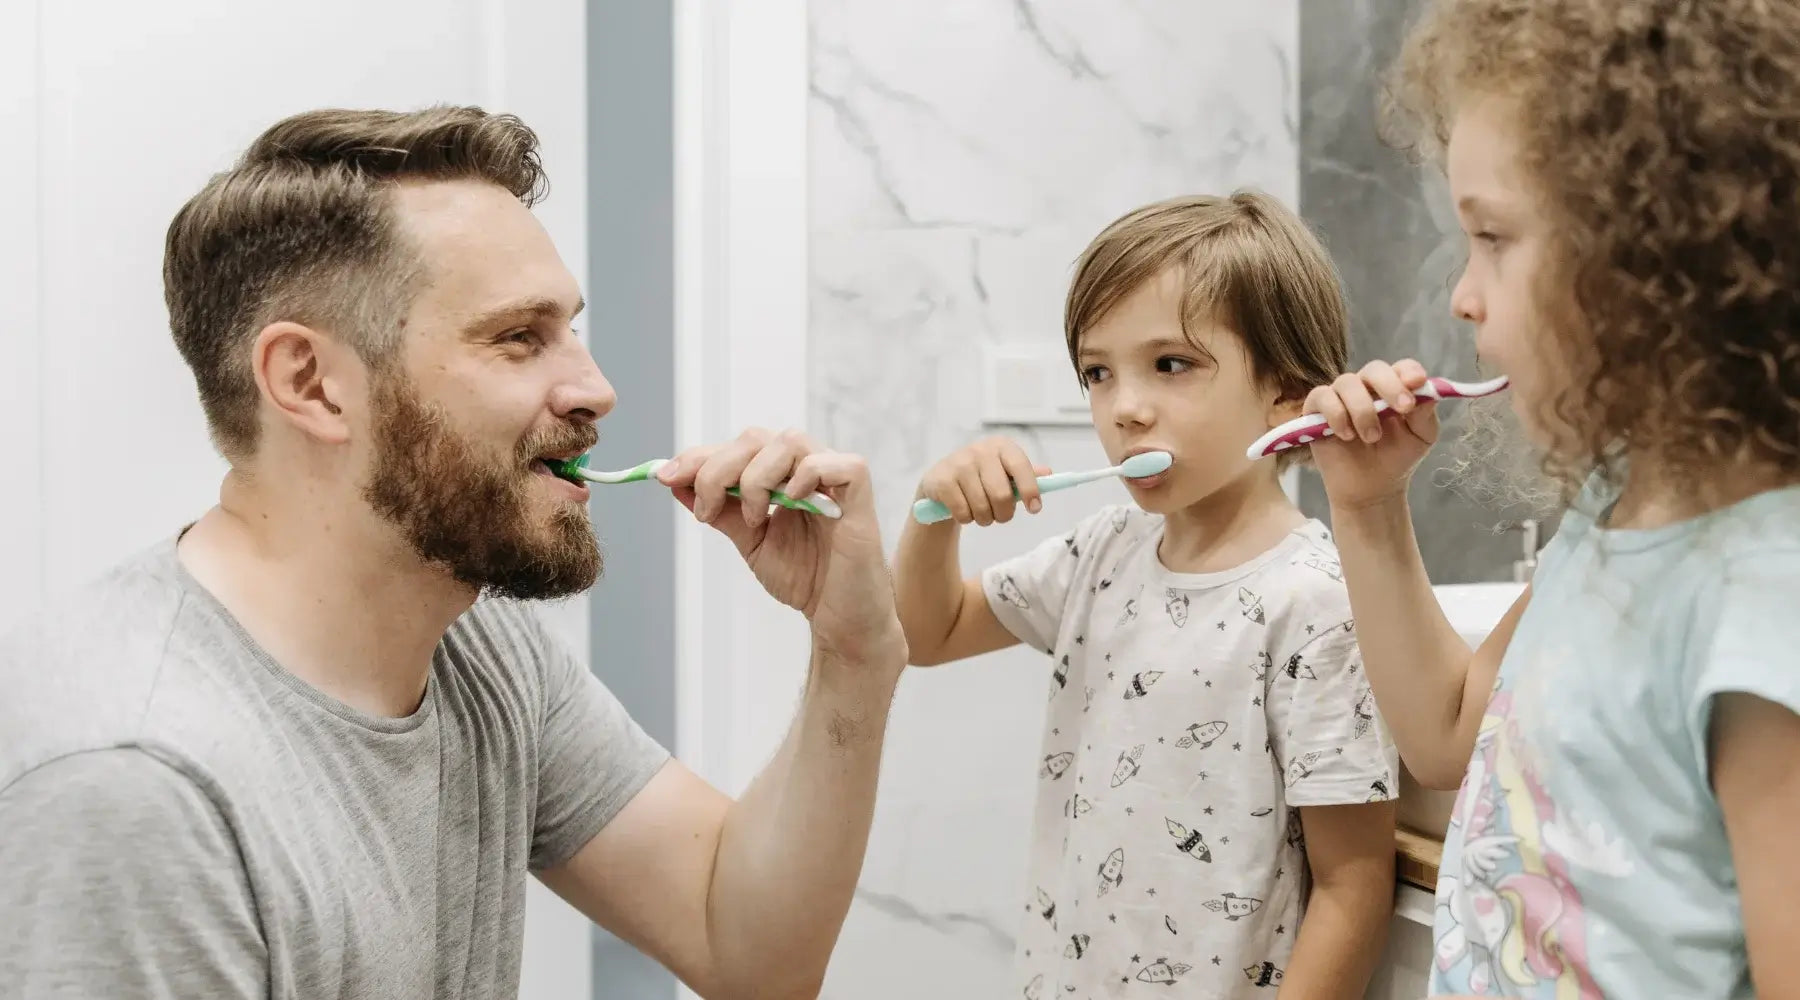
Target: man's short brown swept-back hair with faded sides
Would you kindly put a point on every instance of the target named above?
(301, 229)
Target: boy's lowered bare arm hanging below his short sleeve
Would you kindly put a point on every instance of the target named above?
(1351, 857)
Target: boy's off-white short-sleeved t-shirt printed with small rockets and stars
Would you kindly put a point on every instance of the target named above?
(1189, 719)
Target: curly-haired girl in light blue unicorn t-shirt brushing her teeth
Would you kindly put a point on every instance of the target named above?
(1628, 738)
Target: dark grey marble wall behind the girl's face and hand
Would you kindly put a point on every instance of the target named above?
(1390, 228)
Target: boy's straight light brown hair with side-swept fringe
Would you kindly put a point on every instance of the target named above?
(1248, 263)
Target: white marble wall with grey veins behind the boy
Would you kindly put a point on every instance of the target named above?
(960, 159)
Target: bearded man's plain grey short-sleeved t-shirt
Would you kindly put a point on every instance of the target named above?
(183, 817)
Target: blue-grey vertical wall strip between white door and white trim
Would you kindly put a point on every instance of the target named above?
(631, 323)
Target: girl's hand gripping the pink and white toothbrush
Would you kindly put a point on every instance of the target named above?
(1371, 458)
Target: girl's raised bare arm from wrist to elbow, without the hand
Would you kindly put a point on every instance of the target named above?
(1430, 686)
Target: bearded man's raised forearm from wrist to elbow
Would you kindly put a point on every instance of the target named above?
(793, 846)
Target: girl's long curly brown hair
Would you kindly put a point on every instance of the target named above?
(1664, 141)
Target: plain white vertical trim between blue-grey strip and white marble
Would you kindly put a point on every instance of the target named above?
(741, 326)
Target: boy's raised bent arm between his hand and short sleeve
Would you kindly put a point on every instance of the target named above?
(944, 616)
